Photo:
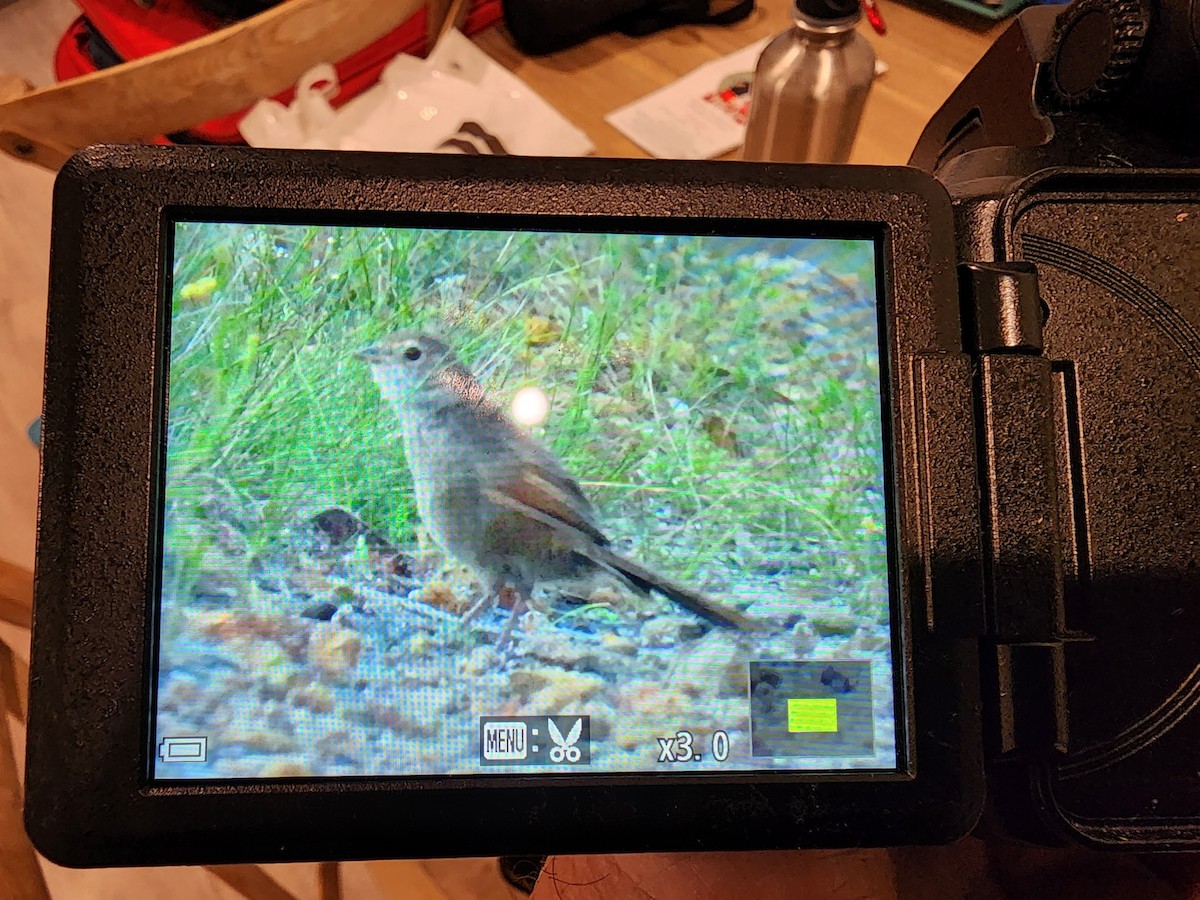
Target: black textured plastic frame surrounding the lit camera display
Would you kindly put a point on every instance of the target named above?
(106, 386)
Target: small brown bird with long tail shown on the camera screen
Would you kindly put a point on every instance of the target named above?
(490, 495)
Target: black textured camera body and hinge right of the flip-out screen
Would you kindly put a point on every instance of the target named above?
(1070, 154)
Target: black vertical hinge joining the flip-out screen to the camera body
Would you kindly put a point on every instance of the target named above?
(1024, 572)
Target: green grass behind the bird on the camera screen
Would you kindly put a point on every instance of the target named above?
(688, 393)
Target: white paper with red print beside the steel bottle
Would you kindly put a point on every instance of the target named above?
(703, 115)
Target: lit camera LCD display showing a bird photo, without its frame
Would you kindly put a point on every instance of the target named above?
(487, 502)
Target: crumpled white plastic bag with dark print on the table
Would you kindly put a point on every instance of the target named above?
(458, 100)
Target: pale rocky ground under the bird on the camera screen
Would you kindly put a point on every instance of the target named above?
(346, 657)
